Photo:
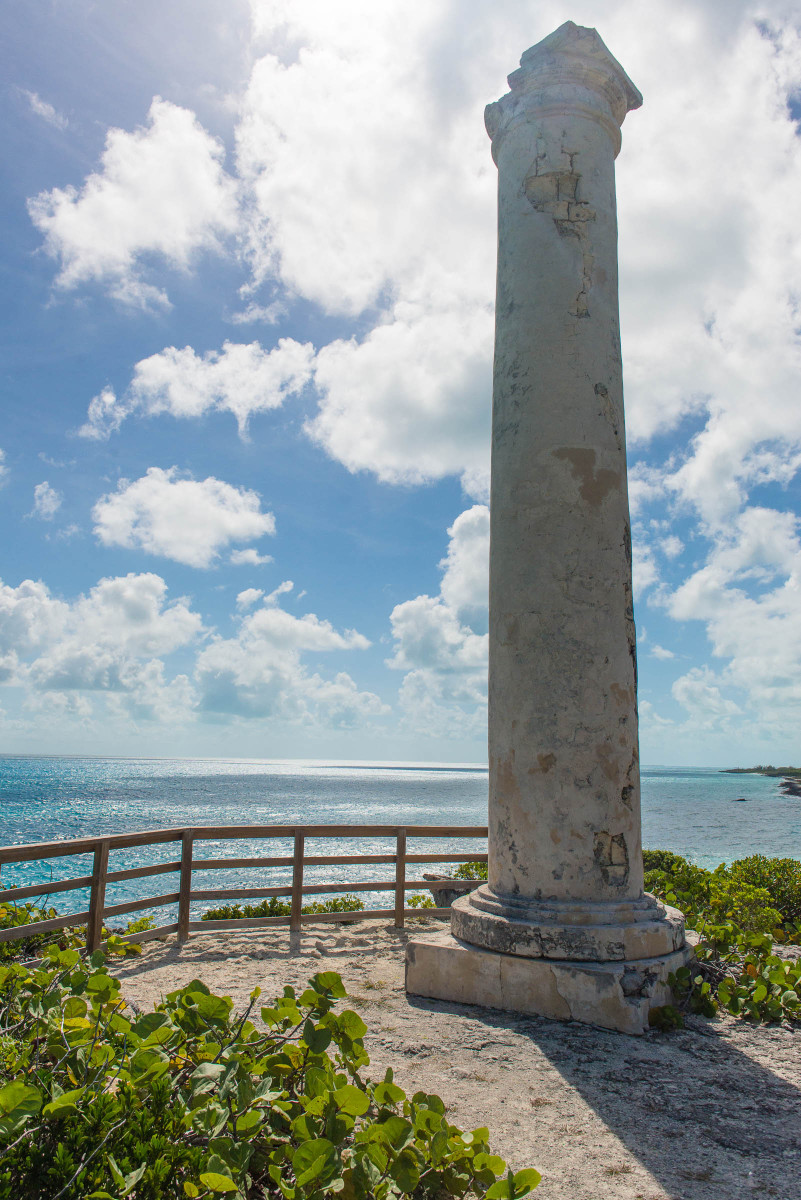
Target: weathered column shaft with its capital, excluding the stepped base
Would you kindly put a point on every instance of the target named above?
(564, 808)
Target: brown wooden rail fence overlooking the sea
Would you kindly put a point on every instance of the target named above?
(99, 913)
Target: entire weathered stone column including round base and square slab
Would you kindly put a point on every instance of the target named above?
(563, 926)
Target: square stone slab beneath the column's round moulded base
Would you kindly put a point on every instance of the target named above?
(612, 995)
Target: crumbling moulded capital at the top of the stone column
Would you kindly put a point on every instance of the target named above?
(569, 73)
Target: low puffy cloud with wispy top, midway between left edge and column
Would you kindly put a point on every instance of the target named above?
(261, 673)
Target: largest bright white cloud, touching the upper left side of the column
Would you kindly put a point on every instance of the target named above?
(412, 242)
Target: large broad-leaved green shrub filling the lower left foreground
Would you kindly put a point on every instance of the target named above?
(194, 1101)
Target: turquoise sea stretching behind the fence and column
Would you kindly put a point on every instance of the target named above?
(691, 812)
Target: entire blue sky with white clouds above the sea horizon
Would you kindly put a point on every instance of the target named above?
(249, 279)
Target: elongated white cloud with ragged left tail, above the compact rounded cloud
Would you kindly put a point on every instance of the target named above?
(240, 380)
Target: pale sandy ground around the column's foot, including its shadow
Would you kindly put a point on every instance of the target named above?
(709, 1113)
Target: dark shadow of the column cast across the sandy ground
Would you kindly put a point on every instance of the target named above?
(696, 1108)
